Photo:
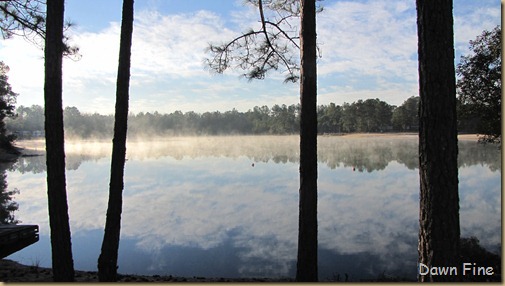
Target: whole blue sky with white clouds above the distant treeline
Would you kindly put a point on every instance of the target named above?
(369, 50)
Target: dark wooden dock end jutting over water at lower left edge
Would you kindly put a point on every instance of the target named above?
(16, 237)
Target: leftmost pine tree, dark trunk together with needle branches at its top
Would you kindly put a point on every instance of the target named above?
(27, 18)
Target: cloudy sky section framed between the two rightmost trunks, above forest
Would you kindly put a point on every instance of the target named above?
(369, 50)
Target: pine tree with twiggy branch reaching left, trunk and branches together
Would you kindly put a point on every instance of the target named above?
(268, 48)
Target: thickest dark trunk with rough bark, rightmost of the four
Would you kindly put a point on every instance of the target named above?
(439, 230)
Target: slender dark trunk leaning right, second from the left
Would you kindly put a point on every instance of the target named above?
(107, 262)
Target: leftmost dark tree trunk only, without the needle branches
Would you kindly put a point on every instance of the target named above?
(61, 246)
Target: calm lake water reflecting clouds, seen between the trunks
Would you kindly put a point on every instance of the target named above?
(199, 207)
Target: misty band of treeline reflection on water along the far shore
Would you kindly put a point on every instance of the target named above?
(364, 154)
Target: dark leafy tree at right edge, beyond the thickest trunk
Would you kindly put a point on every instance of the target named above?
(479, 85)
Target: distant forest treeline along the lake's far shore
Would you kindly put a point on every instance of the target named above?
(371, 115)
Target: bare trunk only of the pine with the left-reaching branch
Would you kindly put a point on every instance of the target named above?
(307, 229)
